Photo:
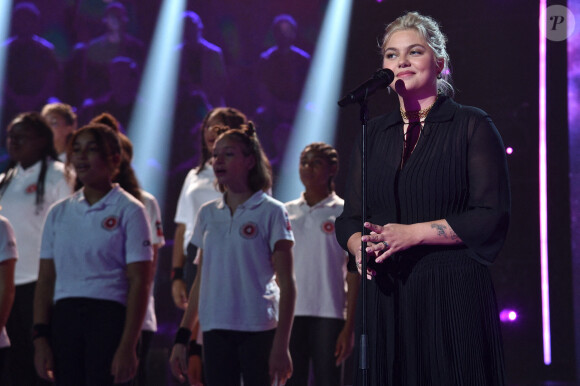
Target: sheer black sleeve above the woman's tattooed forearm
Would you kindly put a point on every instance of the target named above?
(483, 226)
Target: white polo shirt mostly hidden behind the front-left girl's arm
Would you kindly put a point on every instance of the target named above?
(157, 238)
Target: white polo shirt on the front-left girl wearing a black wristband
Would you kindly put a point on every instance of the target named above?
(92, 245)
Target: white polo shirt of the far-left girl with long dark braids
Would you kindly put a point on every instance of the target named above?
(19, 207)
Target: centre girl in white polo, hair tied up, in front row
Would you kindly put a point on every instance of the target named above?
(244, 292)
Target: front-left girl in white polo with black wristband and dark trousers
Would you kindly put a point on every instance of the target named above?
(95, 272)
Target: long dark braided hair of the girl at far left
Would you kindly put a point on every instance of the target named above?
(36, 122)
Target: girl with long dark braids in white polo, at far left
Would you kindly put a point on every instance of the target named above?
(33, 180)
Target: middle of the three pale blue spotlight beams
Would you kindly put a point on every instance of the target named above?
(150, 126)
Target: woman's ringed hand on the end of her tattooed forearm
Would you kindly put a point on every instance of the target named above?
(386, 240)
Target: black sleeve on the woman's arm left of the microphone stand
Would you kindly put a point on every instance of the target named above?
(350, 221)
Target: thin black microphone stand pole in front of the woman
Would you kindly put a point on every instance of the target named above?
(363, 362)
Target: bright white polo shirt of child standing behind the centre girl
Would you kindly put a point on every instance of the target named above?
(197, 190)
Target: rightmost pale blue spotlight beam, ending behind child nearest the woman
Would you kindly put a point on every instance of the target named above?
(318, 111)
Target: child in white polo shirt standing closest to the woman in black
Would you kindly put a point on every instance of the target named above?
(326, 292)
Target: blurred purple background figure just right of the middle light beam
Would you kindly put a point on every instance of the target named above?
(202, 65)
